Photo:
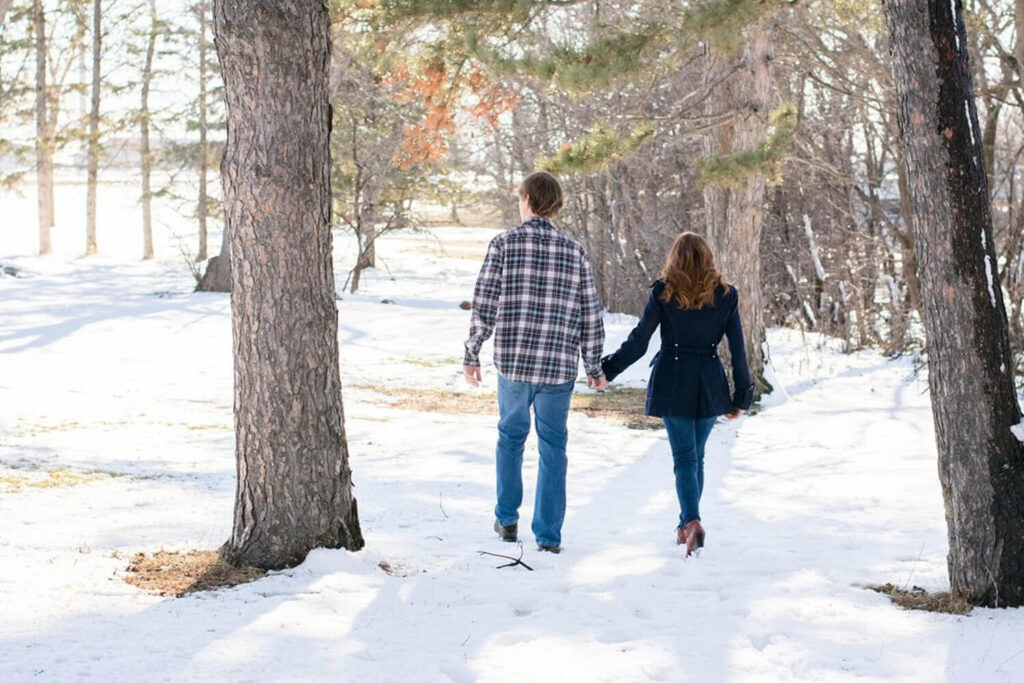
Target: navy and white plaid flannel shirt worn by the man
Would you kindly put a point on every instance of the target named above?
(536, 293)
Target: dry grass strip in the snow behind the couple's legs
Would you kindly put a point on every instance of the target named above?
(625, 405)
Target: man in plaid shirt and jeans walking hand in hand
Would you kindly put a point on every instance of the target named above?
(536, 293)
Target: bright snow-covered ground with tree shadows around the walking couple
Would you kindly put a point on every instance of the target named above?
(116, 403)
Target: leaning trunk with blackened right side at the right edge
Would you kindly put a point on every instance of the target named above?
(982, 464)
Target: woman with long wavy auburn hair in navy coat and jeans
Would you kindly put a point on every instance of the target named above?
(688, 389)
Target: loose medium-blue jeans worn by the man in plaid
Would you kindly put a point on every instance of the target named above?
(551, 406)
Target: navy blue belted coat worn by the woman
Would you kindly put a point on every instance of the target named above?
(688, 378)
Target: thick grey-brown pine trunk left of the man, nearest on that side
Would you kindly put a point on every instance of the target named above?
(294, 491)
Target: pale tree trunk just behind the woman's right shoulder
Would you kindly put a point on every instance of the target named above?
(735, 216)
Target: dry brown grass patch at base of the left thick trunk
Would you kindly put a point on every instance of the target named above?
(181, 574)
